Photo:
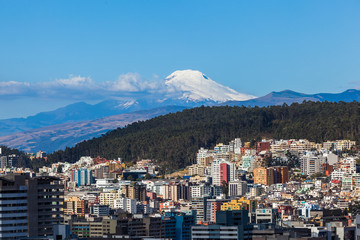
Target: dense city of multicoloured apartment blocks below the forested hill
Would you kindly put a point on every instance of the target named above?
(286, 189)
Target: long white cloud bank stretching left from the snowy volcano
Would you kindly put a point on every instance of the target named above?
(81, 88)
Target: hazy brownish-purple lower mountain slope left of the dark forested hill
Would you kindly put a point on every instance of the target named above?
(55, 137)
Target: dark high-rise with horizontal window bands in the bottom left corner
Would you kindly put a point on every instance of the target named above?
(30, 206)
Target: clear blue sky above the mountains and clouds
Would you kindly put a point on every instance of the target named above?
(254, 47)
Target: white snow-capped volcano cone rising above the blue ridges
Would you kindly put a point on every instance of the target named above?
(196, 86)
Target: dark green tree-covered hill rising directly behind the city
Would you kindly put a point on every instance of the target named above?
(174, 139)
